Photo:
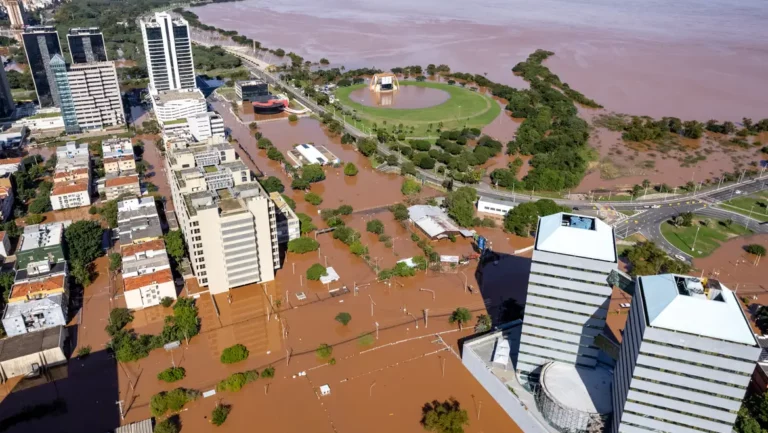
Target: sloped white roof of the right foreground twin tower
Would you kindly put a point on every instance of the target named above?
(715, 313)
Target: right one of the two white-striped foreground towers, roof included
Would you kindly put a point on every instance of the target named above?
(686, 359)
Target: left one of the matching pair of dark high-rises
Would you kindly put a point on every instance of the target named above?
(41, 43)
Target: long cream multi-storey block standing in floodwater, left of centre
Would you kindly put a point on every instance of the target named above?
(228, 220)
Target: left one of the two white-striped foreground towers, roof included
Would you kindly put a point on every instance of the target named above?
(568, 292)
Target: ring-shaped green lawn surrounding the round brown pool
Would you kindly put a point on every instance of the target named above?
(464, 108)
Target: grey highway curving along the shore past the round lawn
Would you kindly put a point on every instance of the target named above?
(653, 212)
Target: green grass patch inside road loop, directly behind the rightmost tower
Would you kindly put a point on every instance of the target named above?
(712, 233)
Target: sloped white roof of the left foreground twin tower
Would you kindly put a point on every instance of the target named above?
(576, 235)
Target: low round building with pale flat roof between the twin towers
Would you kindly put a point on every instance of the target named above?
(572, 398)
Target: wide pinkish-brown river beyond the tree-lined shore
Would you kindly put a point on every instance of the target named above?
(689, 60)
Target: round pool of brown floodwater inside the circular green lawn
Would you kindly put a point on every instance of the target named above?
(404, 97)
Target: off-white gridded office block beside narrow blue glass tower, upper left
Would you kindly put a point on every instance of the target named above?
(96, 95)
